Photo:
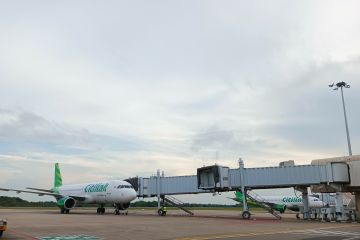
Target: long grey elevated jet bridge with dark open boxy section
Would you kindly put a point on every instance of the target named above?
(333, 176)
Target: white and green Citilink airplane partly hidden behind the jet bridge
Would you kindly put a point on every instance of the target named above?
(281, 203)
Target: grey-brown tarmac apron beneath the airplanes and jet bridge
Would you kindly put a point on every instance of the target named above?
(146, 224)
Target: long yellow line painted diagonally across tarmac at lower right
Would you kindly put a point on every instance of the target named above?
(257, 233)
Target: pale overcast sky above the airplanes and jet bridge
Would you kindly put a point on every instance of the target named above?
(118, 89)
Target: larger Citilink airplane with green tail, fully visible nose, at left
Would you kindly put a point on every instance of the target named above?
(117, 192)
